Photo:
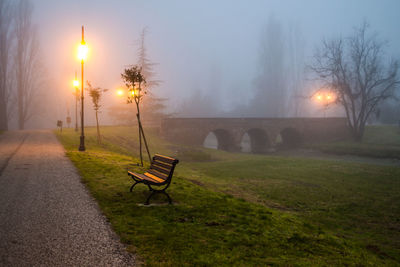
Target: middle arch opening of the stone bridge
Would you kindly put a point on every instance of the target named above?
(255, 140)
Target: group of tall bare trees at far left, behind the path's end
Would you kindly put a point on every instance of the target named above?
(21, 70)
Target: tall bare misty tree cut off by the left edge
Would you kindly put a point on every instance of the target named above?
(6, 39)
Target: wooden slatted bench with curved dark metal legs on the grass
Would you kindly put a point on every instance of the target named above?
(159, 174)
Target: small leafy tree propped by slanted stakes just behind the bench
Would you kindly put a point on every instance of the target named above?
(134, 80)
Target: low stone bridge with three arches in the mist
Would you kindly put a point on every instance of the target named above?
(262, 133)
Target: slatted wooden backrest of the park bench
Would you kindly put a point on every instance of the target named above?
(163, 167)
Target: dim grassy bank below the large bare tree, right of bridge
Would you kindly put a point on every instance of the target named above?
(378, 141)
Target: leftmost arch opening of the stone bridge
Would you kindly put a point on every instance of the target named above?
(219, 139)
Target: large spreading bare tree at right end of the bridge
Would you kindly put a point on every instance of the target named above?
(358, 71)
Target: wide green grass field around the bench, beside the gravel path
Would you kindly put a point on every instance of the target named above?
(243, 209)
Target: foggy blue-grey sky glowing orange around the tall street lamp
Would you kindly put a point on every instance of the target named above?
(213, 57)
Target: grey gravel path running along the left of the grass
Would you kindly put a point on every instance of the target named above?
(47, 217)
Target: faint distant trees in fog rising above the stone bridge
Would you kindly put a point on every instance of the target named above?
(277, 87)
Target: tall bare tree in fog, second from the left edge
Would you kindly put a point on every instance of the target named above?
(27, 62)
